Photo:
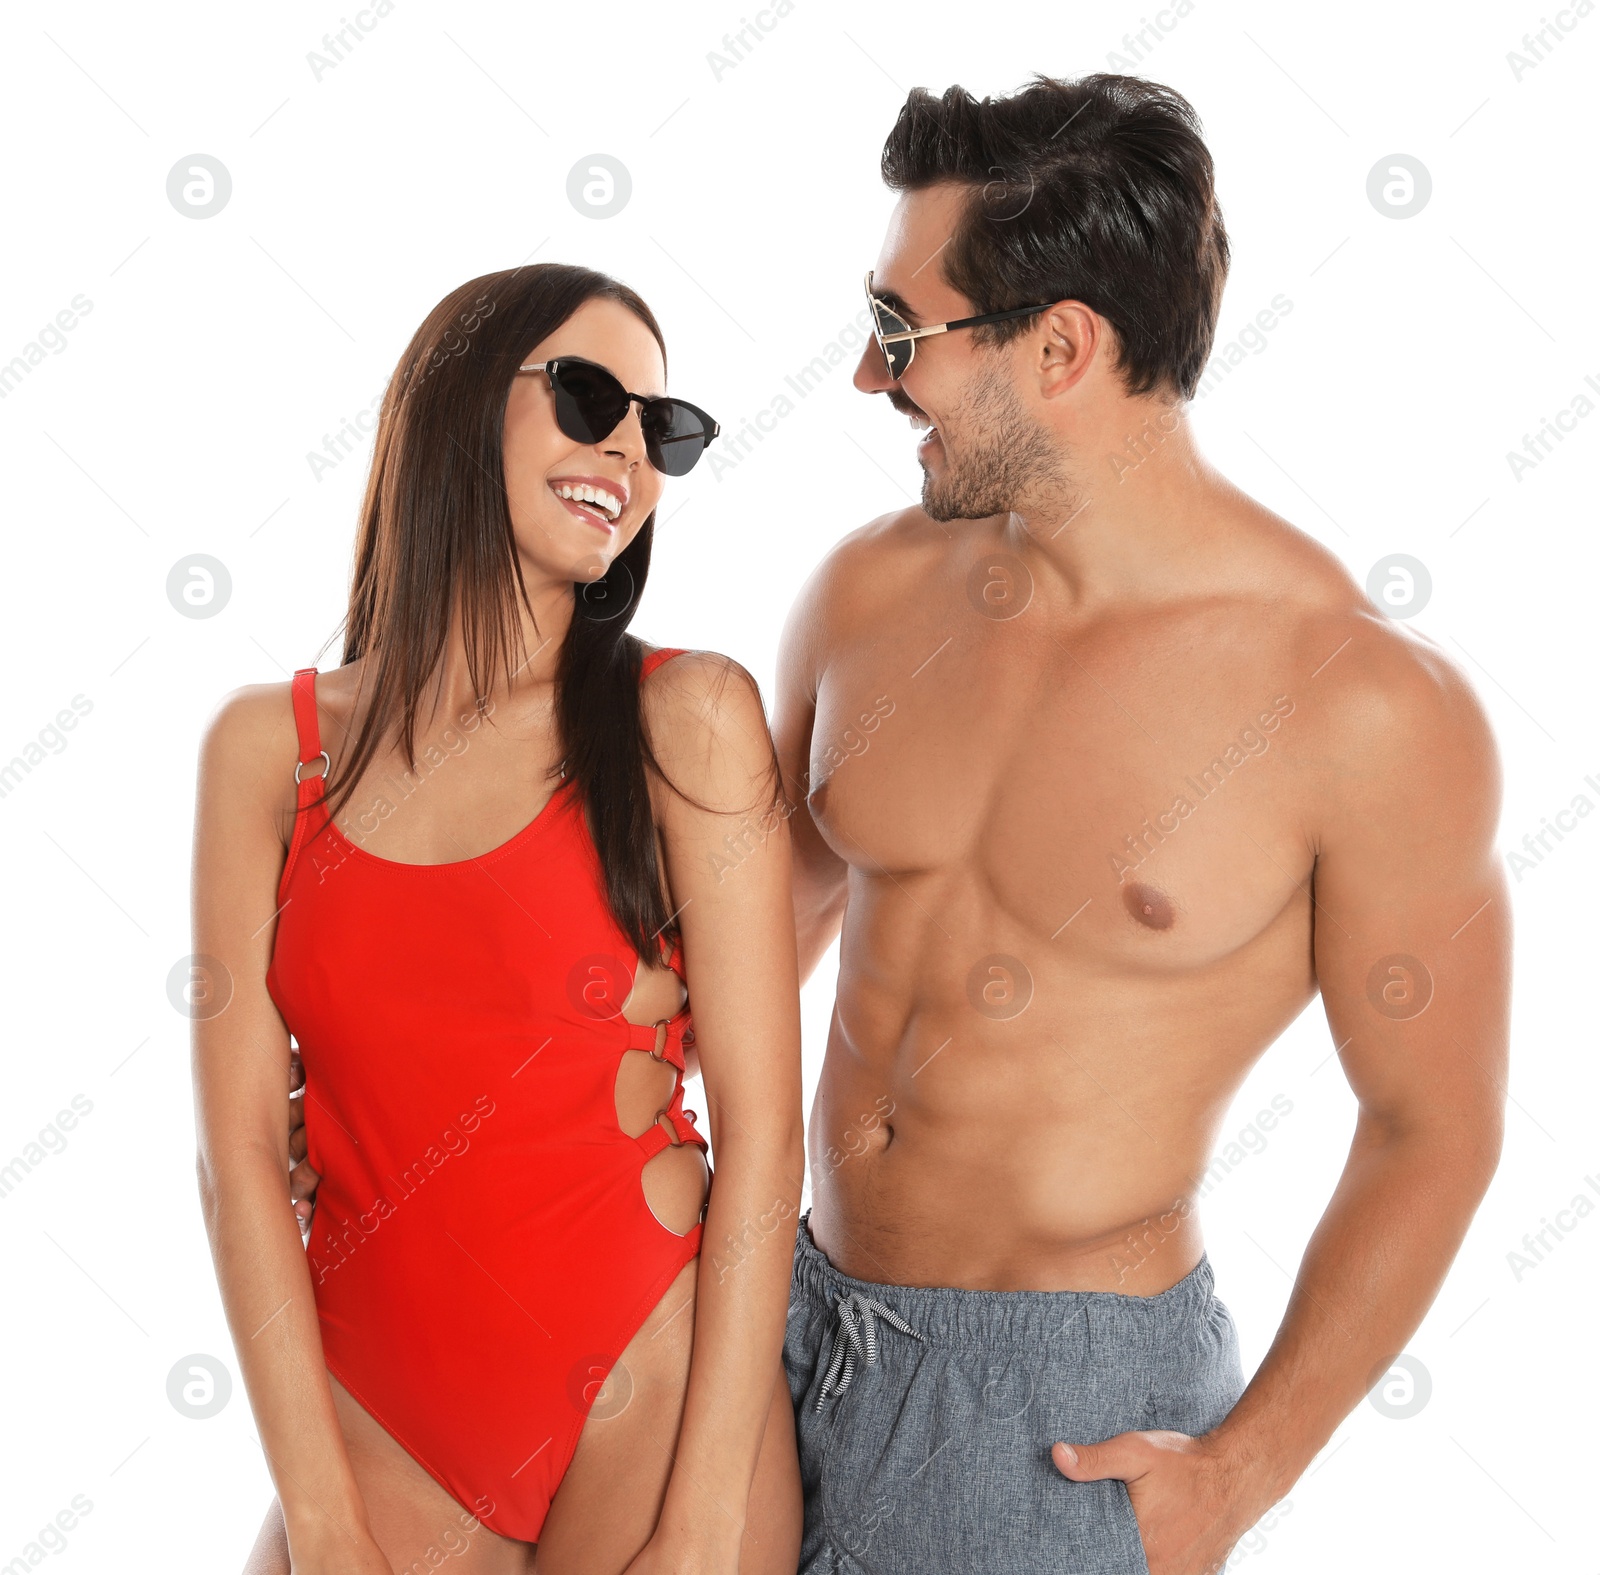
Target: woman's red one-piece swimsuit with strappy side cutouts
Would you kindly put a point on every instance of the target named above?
(482, 1251)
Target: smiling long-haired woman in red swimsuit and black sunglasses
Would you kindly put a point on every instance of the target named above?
(478, 872)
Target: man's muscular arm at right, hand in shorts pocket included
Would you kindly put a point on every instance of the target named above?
(1412, 934)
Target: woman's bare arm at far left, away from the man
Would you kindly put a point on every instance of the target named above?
(241, 1073)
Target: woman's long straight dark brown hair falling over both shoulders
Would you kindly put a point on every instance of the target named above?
(436, 534)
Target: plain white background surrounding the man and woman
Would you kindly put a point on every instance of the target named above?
(218, 353)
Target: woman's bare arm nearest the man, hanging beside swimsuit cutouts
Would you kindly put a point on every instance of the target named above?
(729, 876)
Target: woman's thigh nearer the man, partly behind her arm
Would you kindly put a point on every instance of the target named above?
(610, 1499)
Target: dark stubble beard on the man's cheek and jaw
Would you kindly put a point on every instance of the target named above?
(1006, 459)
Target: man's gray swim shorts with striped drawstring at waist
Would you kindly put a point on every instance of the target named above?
(926, 1417)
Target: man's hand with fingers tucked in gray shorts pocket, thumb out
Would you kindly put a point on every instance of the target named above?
(1185, 1496)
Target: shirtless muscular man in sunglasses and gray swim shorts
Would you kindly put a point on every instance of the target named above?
(1106, 771)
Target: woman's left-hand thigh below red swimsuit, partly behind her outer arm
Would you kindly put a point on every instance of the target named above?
(412, 1518)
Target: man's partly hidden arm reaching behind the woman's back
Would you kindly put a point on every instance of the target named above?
(818, 872)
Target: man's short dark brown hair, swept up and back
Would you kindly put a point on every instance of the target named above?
(1097, 191)
